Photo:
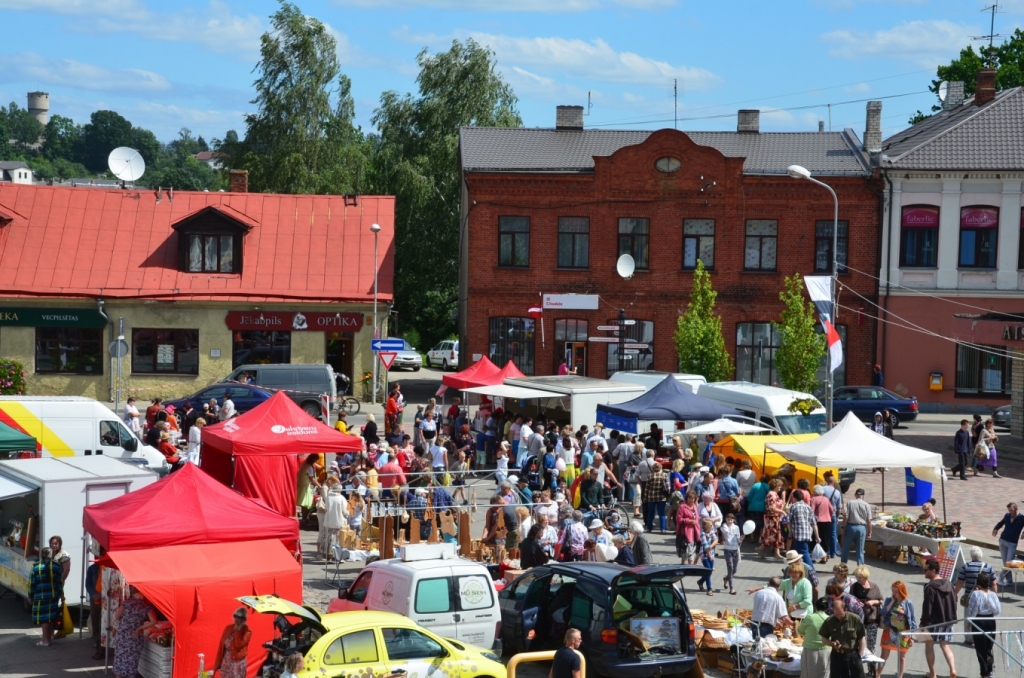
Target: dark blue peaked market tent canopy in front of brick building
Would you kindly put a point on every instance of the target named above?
(669, 401)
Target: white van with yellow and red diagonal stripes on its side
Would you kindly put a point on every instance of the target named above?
(74, 427)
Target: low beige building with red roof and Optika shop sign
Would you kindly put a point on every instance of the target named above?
(198, 284)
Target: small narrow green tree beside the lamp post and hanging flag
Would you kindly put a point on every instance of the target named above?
(800, 348)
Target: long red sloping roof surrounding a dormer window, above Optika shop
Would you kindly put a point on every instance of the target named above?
(67, 242)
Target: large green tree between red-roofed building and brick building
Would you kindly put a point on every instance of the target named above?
(416, 159)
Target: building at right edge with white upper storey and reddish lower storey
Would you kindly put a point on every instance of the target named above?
(953, 265)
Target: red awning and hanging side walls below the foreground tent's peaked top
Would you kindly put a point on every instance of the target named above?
(196, 586)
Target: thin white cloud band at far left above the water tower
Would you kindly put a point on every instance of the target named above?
(69, 73)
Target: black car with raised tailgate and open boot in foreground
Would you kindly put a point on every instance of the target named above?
(599, 599)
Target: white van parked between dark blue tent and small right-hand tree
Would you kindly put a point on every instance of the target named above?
(769, 405)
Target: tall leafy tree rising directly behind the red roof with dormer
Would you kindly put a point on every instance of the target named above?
(303, 138)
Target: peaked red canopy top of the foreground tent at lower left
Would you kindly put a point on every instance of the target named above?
(187, 507)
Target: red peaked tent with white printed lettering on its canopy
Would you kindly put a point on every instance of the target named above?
(267, 446)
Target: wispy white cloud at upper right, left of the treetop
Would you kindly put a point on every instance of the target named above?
(925, 43)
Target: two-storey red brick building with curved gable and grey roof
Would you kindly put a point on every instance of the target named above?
(549, 211)
